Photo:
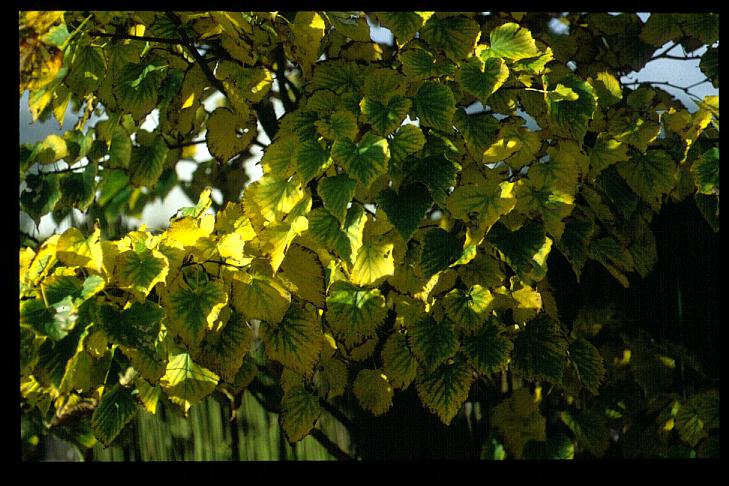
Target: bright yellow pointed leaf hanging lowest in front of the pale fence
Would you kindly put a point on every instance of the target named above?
(185, 382)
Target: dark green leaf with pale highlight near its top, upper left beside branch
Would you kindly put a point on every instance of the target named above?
(137, 88)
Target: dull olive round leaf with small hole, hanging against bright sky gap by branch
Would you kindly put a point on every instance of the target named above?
(228, 134)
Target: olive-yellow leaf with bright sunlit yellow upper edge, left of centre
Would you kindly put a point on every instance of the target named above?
(259, 297)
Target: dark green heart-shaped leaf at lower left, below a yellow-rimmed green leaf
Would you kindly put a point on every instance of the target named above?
(136, 327)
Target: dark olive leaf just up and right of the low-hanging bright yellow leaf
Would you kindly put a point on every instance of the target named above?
(225, 354)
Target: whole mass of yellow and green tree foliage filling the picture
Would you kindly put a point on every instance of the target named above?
(399, 236)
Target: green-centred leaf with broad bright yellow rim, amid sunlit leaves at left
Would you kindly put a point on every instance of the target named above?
(139, 272)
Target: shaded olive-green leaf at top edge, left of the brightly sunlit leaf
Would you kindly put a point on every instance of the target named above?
(455, 35)
